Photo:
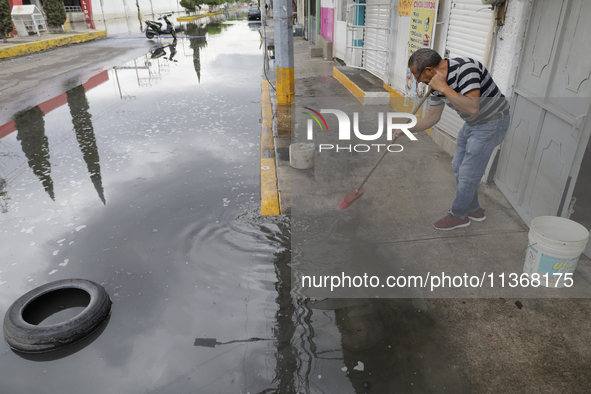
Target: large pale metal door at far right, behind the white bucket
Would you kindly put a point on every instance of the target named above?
(541, 156)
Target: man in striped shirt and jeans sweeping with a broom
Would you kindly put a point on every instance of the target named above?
(467, 87)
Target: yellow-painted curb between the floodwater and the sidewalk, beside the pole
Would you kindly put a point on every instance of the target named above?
(270, 204)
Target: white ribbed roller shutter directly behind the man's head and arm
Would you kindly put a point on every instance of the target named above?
(467, 36)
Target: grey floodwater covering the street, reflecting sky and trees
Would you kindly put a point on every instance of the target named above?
(145, 179)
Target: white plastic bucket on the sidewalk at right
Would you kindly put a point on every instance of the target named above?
(555, 245)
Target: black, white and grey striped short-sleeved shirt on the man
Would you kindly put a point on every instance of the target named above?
(465, 75)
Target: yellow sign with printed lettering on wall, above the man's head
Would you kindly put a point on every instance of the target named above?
(423, 15)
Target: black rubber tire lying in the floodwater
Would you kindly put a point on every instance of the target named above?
(29, 338)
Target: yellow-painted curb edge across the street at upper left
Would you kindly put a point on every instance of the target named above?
(36, 43)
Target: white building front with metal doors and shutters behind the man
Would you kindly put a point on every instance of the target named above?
(536, 52)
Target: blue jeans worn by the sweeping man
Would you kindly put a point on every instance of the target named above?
(474, 147)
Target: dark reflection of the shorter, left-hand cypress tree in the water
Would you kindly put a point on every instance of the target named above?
(30, 128)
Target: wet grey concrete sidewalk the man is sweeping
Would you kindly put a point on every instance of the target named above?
(510, 340)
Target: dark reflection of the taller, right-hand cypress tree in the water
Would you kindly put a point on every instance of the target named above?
(82, 122)
